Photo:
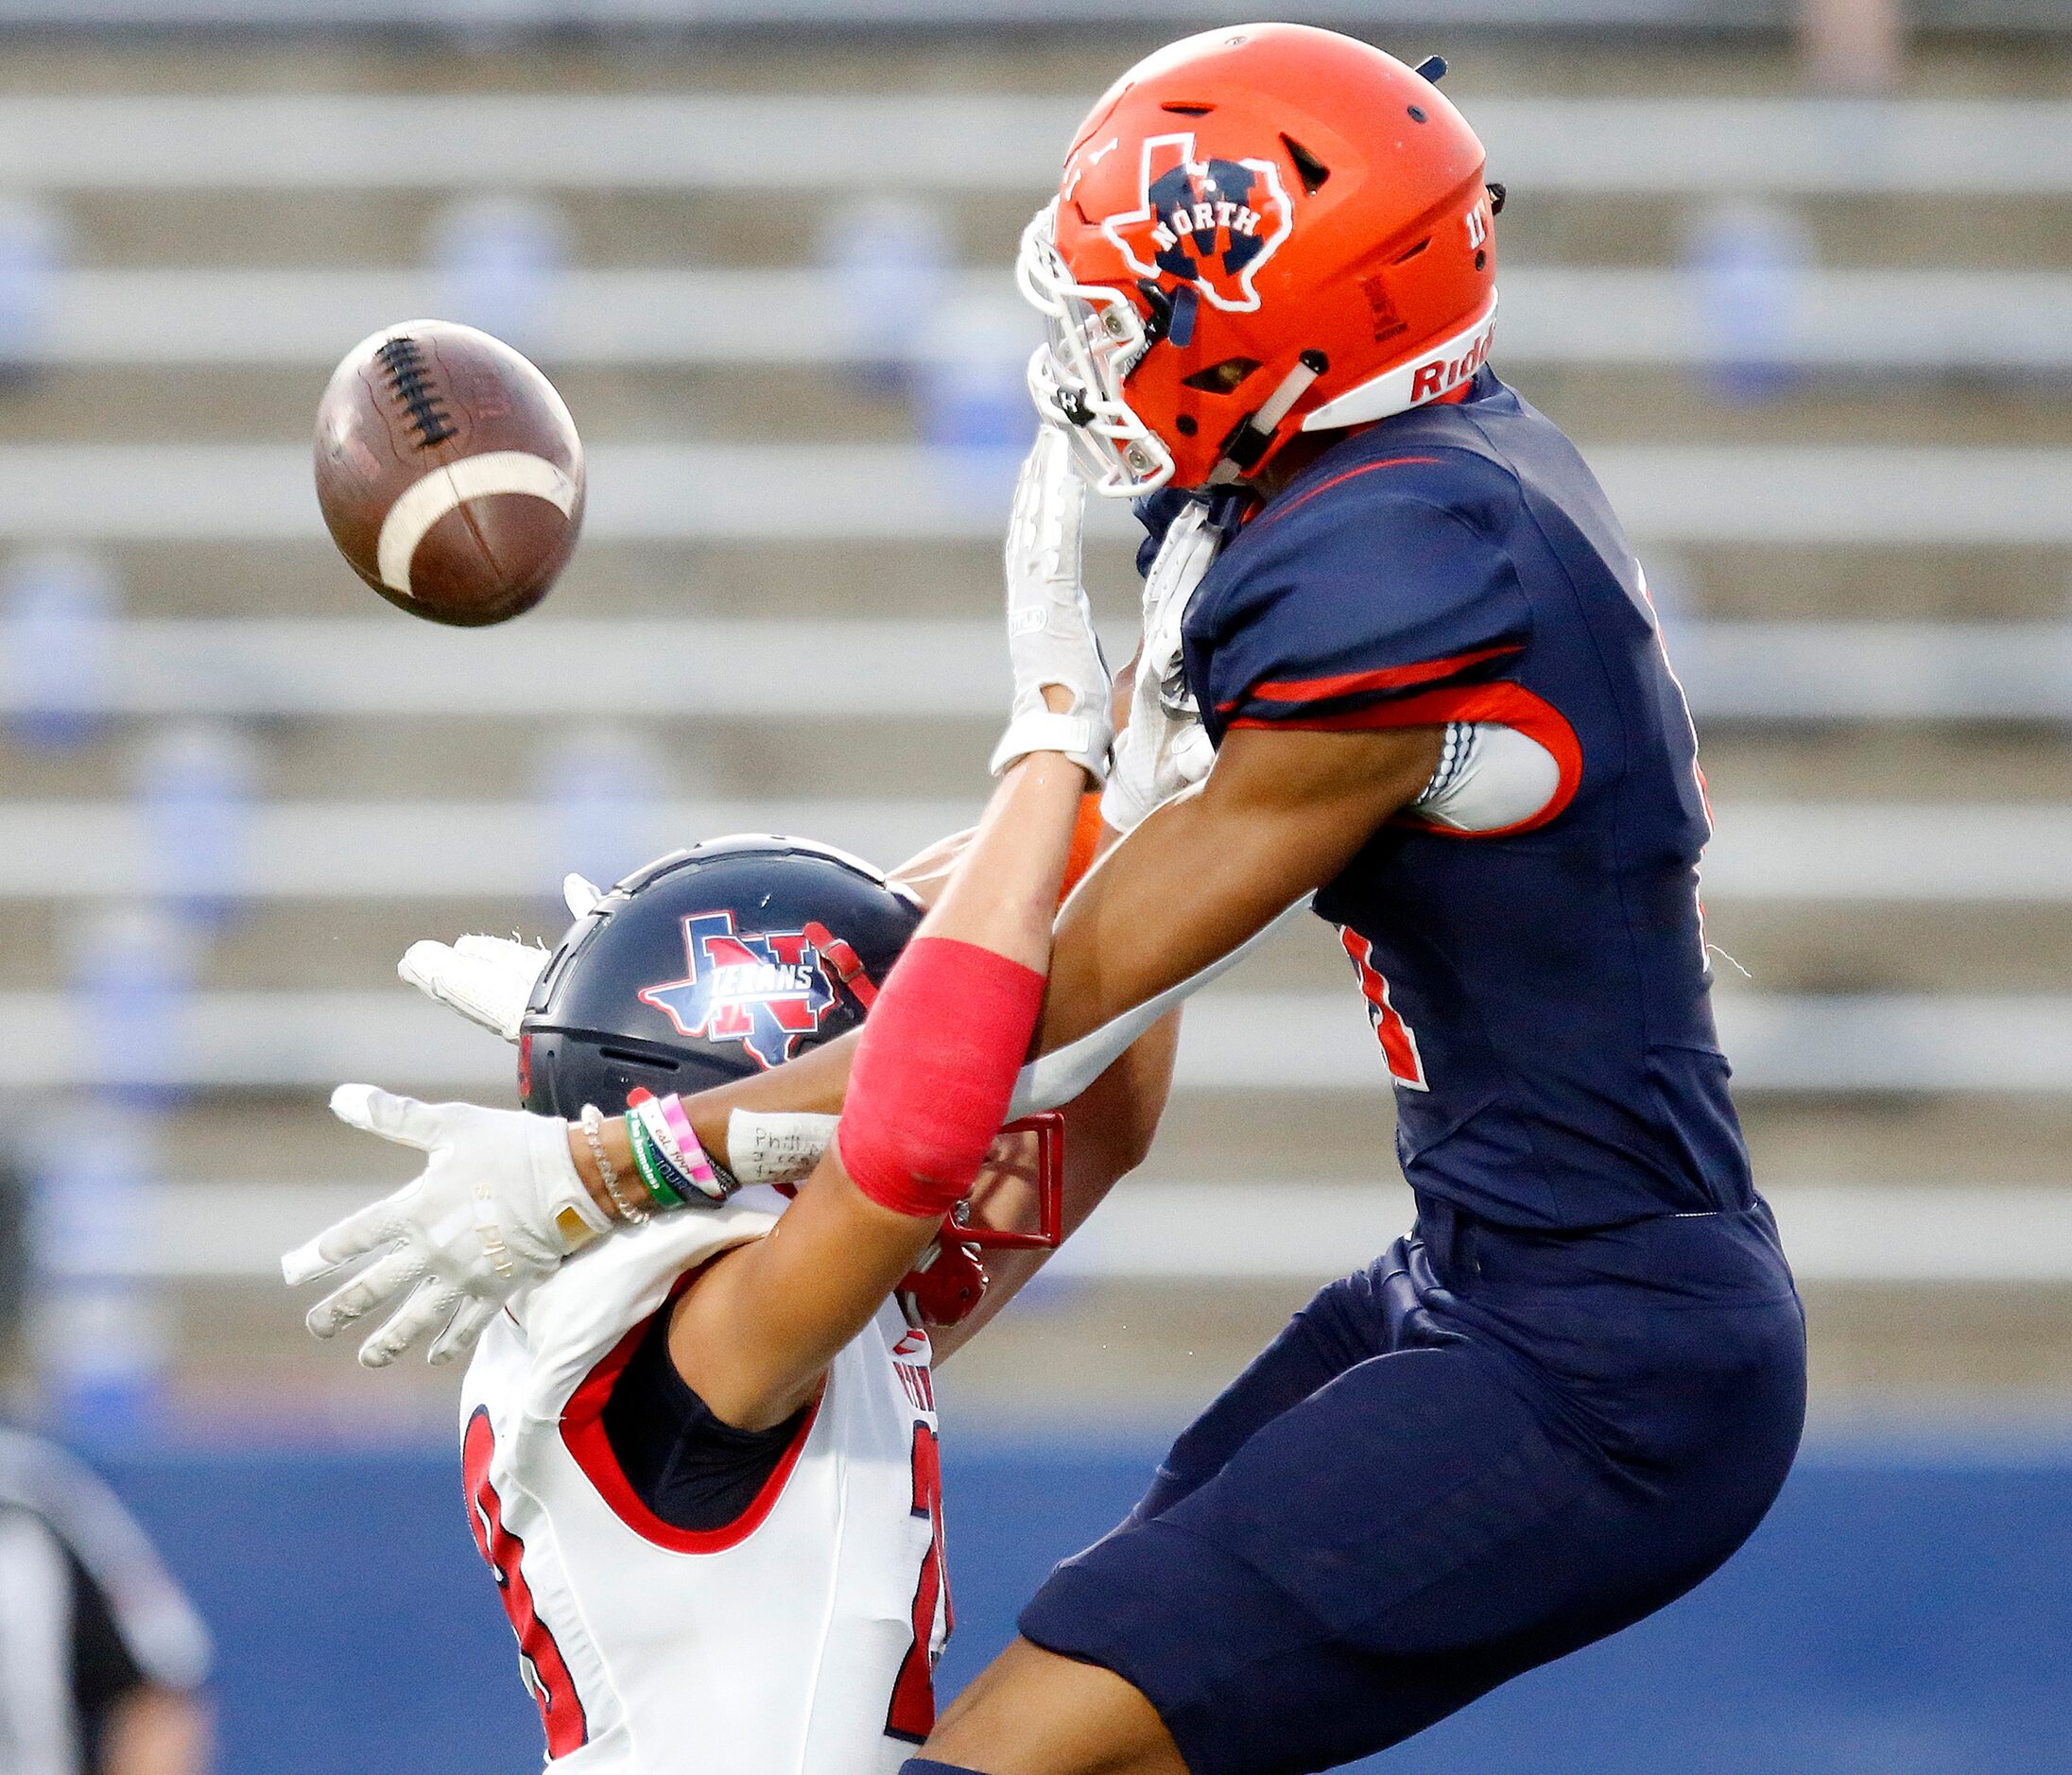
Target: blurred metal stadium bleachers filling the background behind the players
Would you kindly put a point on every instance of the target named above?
(786, 600)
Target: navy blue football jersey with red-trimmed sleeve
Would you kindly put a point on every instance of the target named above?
(1541, 989)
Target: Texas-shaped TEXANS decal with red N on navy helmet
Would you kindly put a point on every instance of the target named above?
(764, 991)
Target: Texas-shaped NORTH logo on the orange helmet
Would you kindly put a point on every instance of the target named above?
(1205, 223)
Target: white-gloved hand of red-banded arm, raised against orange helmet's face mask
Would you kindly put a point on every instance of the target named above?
(1049, 622)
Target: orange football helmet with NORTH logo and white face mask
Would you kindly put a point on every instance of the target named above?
(1261, 231)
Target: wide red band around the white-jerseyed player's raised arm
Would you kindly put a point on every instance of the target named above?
(933, 1074)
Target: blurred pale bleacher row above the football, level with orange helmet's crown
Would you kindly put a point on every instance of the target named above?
(998, 142)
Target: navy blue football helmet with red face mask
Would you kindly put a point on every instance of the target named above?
(732, 958)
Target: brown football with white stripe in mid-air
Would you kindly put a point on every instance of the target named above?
(449, 473)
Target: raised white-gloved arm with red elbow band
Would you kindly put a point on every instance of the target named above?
(938, 1061)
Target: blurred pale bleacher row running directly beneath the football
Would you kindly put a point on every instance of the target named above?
(950, 670)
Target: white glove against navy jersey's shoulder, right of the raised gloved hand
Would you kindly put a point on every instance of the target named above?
(1163, 751)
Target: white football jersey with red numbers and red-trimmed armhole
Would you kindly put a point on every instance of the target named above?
(801, 1639)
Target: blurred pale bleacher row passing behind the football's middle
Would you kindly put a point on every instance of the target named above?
(898, 492)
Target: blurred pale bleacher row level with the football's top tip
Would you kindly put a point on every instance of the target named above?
(1563, 318)
